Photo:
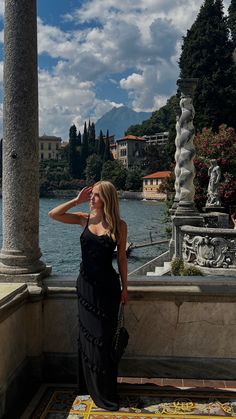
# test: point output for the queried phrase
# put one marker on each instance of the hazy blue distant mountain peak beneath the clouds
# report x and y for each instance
(118, 120)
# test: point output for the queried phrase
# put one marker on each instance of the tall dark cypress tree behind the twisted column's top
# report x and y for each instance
(207, 55)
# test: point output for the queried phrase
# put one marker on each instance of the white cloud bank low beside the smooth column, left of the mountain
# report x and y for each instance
(65, 100)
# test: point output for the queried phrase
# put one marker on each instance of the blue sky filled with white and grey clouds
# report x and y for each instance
(97, 54)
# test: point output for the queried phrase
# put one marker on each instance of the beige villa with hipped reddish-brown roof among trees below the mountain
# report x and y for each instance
(131, 150)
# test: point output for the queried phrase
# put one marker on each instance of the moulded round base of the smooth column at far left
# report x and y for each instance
(29, 278)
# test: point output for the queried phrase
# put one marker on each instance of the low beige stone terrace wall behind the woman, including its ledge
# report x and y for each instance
(179, 327)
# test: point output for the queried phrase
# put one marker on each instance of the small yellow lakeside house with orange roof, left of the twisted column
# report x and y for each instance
(151, 185)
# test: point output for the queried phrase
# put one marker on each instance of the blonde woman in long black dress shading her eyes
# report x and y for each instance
(98, 287)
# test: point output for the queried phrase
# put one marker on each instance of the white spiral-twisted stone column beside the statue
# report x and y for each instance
(185, 212)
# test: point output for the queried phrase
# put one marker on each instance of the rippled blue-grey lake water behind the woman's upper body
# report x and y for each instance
(60, 244)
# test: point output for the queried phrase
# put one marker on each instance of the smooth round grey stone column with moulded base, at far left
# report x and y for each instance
(20, 253)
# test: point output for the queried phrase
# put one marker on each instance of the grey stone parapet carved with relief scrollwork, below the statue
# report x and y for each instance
(209, 247)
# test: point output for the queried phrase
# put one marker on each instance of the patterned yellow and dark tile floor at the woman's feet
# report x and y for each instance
(141, 398)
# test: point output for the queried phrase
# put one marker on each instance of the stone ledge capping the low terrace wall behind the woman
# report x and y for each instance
(170, 288)
